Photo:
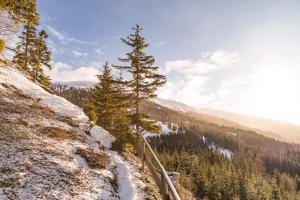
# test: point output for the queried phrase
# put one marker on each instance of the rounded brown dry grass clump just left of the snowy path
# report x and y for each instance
(95, 160)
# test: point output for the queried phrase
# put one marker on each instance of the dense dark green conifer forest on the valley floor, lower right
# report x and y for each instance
(209, 174)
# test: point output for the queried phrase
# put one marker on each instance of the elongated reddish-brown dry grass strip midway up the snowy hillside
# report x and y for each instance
(61, 134)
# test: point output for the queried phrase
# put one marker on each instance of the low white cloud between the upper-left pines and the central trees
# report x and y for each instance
(63, 72)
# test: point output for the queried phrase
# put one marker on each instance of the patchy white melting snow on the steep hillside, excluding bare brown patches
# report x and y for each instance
(54, 159)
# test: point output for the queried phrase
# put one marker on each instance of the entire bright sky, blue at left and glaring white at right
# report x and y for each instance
(239, 56)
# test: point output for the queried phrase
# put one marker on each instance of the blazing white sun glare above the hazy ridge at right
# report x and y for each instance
(272, 94)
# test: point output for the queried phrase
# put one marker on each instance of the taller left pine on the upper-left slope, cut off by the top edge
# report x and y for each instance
(25, 48)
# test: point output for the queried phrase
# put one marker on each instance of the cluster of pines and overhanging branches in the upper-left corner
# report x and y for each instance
(32, 54)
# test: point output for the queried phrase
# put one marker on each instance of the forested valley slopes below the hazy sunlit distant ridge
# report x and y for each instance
(257, 167)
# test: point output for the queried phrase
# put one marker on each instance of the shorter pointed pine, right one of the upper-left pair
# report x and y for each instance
(42, 58)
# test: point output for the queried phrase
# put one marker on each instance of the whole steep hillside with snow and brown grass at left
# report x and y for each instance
(49, 150)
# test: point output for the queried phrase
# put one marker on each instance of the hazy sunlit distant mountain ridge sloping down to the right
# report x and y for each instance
(270, 128)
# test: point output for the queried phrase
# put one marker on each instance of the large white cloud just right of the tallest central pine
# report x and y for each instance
(189, 81)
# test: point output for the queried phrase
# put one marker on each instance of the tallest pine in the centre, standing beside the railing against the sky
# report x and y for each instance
(145, 79)
